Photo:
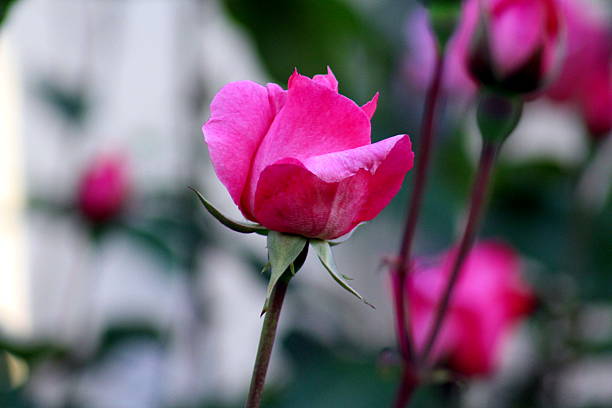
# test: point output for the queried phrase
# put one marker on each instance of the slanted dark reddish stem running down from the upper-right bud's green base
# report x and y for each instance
(479, 190)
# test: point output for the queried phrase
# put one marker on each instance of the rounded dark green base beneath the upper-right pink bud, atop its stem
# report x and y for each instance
(497, 116)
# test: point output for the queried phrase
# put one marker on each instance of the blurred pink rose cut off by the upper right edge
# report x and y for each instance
(585, 78)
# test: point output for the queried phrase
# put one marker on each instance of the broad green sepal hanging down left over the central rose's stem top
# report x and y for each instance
(286, 254)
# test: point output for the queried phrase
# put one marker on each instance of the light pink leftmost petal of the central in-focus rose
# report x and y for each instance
(240, 116)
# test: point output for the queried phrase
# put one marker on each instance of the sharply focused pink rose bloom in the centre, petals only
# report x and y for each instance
(301, 161)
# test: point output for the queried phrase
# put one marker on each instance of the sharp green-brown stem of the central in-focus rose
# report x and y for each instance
(266, 342)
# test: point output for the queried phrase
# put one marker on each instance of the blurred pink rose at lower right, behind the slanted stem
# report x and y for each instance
(489, 299)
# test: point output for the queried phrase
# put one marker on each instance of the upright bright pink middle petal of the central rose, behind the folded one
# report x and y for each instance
(314, 120)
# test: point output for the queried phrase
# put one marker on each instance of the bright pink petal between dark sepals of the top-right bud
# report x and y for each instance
(517, 31)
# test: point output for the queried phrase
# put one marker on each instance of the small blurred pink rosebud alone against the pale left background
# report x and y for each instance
(103, 188)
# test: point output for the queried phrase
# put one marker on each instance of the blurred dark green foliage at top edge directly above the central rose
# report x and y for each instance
(311, 34)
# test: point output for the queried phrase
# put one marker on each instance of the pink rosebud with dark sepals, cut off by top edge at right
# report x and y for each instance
(515, 43)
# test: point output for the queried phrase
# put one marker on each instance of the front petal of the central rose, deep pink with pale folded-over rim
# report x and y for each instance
(327, 196)
